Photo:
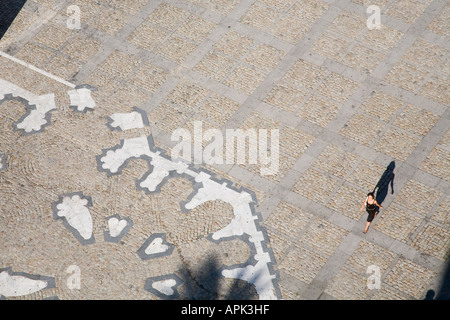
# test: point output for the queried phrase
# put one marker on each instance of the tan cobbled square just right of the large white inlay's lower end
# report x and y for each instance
(302, 263)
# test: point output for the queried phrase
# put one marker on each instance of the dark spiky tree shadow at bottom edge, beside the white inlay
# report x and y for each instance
(204, 283)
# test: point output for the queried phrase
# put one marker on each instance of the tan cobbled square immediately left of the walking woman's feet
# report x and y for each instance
(323, 236)
